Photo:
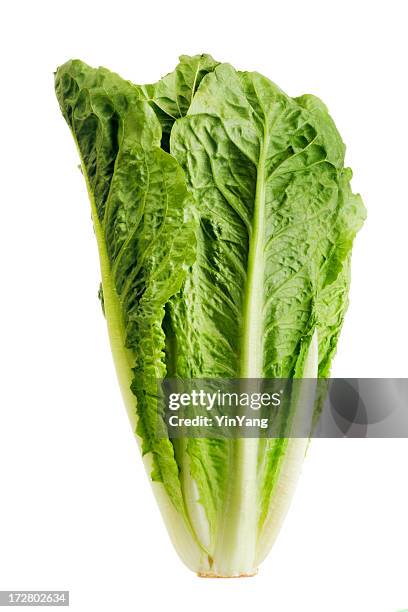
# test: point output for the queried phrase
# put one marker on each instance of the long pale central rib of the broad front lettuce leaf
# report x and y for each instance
(237, 537)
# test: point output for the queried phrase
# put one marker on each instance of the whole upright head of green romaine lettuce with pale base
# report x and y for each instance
(224, 220)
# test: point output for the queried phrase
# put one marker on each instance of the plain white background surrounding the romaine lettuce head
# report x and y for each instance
(76, 511)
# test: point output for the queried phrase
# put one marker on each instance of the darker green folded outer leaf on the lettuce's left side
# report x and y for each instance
(138, 197)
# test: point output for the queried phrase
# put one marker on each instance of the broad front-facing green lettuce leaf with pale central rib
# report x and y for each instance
(275, 221)
